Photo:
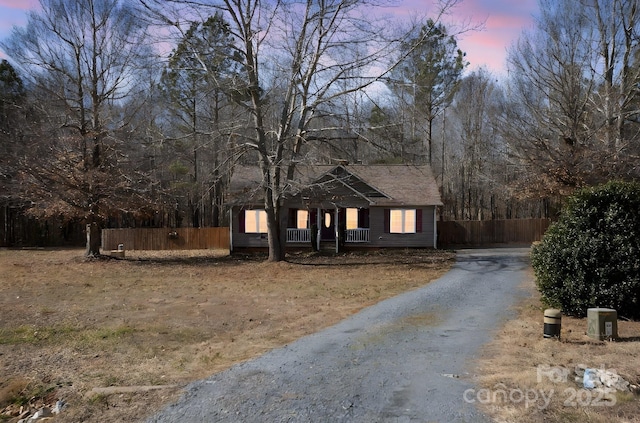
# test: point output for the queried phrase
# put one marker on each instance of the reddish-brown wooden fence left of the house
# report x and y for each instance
(166, 238)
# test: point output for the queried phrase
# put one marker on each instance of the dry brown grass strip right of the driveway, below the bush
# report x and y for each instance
(510, 364)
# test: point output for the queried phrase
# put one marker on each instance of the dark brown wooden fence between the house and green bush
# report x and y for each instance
(490, 232)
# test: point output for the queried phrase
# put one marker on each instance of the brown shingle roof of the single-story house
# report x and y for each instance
(395, 185)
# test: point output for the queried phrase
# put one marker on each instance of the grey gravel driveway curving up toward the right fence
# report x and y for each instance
(406, 359)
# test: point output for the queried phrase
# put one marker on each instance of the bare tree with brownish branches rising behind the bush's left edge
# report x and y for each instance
(547, 119)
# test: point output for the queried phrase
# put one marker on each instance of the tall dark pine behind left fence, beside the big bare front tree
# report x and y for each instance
(199, 73)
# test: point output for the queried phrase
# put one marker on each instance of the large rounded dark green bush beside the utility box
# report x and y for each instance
(591, 256)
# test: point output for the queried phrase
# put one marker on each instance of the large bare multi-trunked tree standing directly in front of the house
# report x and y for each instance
(314, 49)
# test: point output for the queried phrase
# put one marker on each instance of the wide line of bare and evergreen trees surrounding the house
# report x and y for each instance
(135, 113)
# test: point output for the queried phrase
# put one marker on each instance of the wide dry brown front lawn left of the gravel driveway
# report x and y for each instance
(69, 326)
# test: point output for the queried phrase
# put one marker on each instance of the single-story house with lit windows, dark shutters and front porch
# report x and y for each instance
(340, 206)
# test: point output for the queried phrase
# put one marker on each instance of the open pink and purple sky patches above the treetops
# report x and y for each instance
(503, 21)
